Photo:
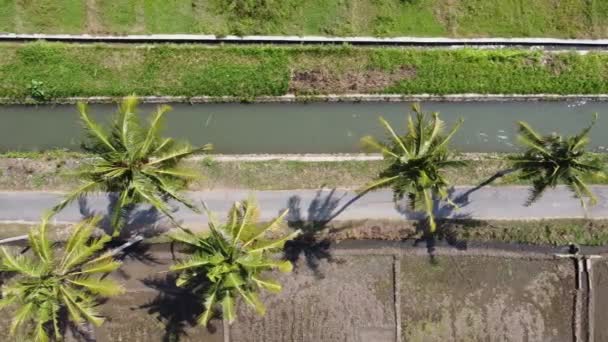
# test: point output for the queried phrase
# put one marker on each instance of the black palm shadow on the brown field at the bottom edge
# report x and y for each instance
(176, 308)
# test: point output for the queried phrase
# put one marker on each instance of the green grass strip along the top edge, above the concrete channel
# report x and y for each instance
(509, 18)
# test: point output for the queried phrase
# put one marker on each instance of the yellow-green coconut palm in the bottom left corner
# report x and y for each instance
(51, 288)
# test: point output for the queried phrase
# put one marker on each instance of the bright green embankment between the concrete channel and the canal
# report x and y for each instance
(246, 72)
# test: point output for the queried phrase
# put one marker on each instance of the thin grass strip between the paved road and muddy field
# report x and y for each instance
(553, 232)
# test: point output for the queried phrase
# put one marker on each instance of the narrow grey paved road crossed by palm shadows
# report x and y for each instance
(486, 203)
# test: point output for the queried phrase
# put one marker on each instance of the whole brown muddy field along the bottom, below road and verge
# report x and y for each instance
(382, 294)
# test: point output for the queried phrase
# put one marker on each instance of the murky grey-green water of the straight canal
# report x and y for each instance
(308, 127)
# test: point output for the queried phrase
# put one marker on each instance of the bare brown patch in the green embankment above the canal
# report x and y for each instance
(324, 81)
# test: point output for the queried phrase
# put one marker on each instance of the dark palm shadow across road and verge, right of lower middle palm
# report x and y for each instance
(310, 244)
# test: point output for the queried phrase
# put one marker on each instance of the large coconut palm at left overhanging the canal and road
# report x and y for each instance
(134, 162)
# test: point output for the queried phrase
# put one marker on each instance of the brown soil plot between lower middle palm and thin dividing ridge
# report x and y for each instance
(350, 299)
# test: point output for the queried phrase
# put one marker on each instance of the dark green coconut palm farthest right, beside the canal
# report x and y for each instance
(552, 159)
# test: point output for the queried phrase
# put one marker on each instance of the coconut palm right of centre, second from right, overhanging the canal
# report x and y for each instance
(416, 162)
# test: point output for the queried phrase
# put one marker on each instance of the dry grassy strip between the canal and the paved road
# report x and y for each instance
(54, 171)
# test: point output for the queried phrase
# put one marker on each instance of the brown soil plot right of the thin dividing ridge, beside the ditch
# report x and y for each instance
(487, 299)
